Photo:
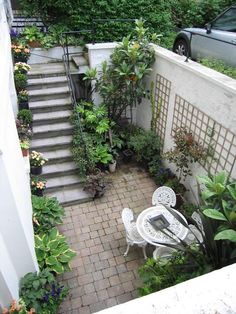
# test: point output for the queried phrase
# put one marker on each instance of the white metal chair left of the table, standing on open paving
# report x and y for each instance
(132, 235)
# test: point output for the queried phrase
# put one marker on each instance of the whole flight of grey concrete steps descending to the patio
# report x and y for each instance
(50, 104)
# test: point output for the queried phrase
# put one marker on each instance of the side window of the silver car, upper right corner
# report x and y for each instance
(227, 21)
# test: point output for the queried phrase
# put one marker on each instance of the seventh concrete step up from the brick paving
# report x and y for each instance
(51, 117)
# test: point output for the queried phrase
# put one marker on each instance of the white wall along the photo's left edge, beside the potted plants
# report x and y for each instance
(16, 230)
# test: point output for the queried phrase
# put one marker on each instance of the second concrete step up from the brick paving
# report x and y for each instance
(66, 181)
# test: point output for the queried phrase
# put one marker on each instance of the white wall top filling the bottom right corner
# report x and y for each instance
(213, 293)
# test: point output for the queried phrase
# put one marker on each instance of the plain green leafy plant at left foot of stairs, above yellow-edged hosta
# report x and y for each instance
(47, 212)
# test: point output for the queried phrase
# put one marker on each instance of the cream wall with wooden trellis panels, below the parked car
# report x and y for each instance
(198, 98)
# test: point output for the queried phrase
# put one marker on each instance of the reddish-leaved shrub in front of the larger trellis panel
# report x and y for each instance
(185, 152)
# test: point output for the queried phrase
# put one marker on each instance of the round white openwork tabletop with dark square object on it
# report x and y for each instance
(154, 236)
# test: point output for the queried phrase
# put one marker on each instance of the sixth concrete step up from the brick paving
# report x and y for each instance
(52, 129)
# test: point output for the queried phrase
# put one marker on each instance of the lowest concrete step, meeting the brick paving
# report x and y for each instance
(71, 196)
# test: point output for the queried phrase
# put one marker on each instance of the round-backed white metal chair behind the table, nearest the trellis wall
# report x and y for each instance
(164, 195)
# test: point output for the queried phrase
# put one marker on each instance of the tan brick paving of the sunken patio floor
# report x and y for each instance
(101, 276)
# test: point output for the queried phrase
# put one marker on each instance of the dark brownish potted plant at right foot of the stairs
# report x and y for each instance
(95, 183)
